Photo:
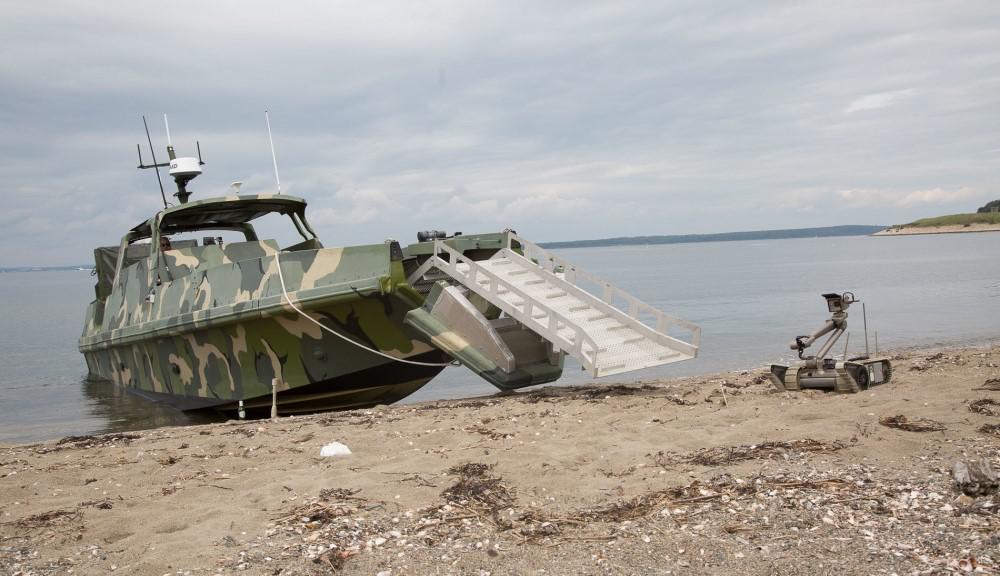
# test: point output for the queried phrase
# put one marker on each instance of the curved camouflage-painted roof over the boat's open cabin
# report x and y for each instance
(220, 212)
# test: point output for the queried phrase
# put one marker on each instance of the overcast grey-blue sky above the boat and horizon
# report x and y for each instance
(561, 120)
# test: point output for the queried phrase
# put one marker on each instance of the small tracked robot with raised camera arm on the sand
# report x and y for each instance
(819, 371)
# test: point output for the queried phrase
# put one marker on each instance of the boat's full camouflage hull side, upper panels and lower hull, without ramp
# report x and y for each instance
(220, 330)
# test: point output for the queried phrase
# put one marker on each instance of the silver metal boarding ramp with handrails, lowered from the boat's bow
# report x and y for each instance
(608, 335)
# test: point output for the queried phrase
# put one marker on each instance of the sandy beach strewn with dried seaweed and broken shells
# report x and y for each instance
(689, 476)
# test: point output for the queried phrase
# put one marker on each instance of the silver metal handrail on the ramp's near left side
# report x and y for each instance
(523, 313)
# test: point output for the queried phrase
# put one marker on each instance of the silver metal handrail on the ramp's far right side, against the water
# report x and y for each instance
(552, 263)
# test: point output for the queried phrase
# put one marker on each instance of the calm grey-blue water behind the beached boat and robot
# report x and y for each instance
(750, 299)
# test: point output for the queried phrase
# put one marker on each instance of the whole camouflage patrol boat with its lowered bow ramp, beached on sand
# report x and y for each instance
(221, 324)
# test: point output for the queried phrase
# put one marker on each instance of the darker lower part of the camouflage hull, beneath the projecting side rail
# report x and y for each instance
(214, 368)
